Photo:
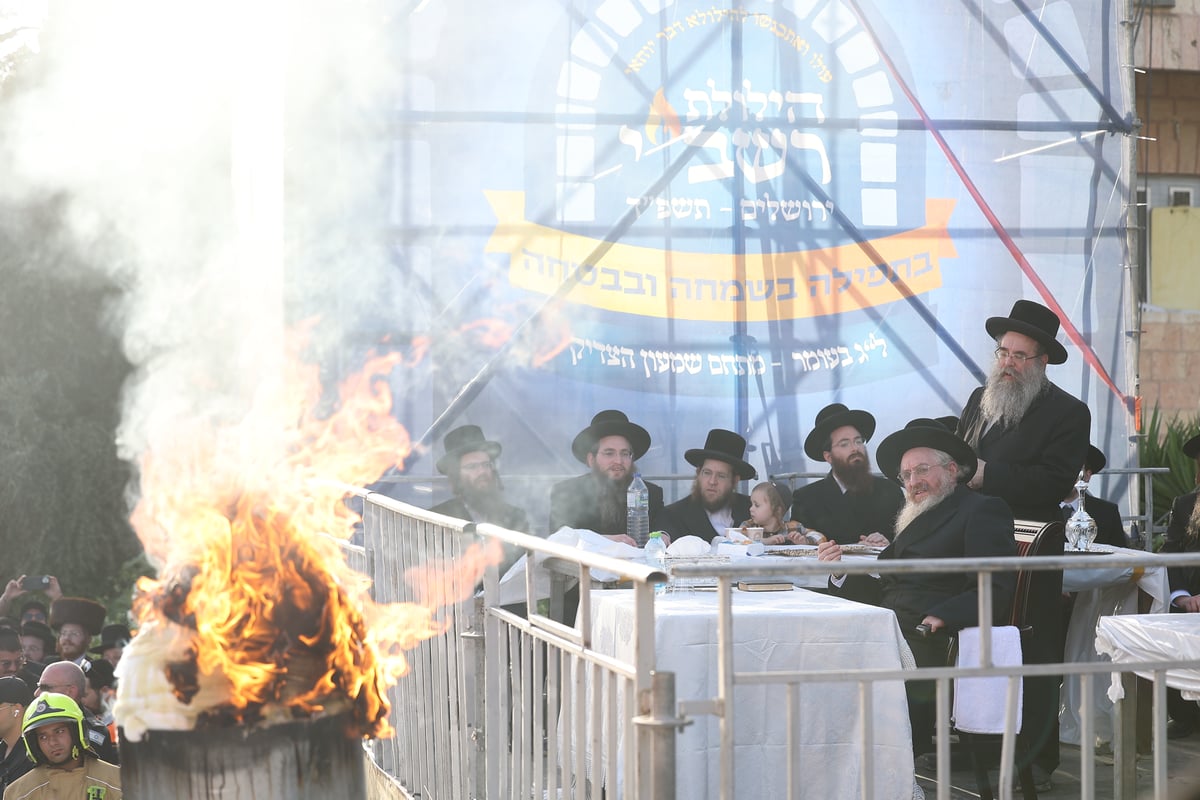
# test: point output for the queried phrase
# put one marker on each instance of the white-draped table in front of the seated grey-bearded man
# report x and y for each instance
(776, 631)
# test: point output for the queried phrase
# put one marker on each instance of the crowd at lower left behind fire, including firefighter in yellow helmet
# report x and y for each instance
(57, 693)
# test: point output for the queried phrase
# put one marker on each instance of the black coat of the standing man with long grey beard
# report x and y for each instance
(1035, 465)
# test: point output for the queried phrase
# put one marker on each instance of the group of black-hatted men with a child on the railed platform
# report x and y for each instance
(952, 488)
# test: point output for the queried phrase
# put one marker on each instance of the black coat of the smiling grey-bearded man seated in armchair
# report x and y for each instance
(963, 526)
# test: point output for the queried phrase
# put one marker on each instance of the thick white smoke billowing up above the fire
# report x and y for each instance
(169, 128)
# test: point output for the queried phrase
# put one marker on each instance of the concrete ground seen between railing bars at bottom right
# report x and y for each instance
(1183, 777)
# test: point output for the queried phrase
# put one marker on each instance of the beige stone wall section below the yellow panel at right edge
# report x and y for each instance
(1171, 362)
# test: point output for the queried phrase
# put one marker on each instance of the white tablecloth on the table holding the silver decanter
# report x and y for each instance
(1102, 592)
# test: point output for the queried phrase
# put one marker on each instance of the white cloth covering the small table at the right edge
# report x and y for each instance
(1155, 637)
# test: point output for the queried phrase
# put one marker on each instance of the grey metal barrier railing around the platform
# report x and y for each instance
(508, 705)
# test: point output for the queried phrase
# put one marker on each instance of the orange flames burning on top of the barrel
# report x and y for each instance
(275, 617)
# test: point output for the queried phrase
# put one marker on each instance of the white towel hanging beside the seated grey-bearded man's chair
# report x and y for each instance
(980, 702)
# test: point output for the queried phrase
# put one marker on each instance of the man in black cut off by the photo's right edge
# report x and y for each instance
(1184, 537)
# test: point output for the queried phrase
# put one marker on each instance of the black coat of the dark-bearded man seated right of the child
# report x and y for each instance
(842, 518)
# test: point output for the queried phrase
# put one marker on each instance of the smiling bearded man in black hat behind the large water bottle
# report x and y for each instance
(596, 501)
